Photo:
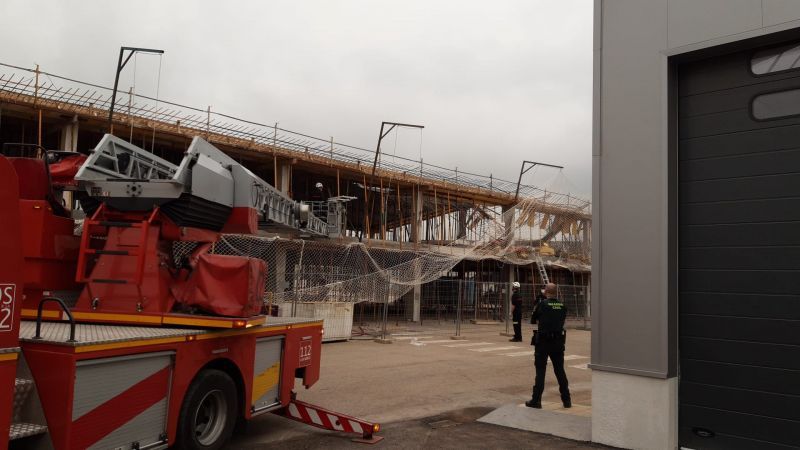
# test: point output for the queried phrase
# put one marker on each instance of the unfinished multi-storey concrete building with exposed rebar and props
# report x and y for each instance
(409, 225)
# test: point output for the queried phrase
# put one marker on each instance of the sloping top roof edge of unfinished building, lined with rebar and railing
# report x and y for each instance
(43, 89)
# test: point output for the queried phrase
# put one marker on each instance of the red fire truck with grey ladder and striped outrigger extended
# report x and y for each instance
(108, 338)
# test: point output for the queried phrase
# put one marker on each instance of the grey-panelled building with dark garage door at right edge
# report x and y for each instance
(696, 200)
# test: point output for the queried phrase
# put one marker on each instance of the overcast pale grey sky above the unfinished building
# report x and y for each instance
(493, 82)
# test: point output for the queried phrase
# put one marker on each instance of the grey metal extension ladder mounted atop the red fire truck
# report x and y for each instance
(199, 192)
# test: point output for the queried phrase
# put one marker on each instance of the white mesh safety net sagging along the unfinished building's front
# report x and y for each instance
(535, 231)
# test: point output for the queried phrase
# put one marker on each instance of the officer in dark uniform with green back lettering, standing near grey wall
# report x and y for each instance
(549, 342)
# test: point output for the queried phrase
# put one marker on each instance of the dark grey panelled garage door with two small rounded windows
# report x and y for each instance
(739, 250)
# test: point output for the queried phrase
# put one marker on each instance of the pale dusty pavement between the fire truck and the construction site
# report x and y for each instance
(425, 374)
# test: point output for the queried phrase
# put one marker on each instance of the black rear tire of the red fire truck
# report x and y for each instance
(208, 414)
